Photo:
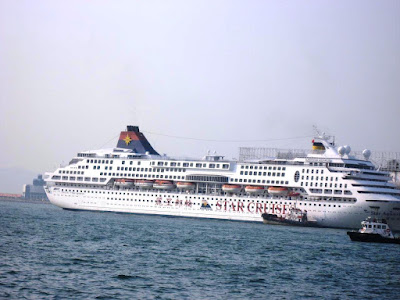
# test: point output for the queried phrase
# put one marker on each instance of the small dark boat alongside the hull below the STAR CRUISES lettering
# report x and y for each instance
(295, 217)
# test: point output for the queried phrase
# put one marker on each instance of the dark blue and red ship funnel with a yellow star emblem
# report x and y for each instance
(135, 140)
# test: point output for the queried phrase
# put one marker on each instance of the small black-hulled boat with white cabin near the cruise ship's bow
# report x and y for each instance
(374, 231)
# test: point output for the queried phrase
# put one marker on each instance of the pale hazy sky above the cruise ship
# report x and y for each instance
(73, 74)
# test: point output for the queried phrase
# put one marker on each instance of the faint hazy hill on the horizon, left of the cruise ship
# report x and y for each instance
(13, 179)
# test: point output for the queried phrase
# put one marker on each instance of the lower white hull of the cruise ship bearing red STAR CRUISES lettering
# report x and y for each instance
(219, 207)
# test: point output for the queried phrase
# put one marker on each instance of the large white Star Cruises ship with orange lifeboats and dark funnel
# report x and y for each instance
(333, 187)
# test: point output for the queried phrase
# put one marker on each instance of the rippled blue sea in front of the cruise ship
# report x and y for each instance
(50, 253)
